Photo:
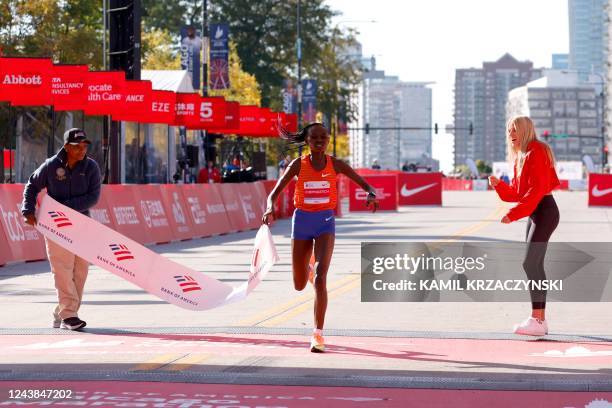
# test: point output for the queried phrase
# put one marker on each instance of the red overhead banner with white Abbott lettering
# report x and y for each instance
(26, 81)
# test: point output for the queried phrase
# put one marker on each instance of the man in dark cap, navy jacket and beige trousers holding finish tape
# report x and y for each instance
(73, 179)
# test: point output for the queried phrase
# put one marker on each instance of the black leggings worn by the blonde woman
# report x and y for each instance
(540, 226)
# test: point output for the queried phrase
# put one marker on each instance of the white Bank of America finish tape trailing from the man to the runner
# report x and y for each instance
(139, 265)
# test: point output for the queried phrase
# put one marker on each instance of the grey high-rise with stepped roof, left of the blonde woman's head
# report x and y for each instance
(480, 98)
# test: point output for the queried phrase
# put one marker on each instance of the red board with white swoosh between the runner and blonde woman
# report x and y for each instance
(420, 188)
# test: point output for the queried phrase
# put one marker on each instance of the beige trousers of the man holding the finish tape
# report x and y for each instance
(70, 273)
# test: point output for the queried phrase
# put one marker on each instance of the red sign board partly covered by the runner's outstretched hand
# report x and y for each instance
(386, 193)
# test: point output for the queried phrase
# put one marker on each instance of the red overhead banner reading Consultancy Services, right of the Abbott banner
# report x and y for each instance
(69, 87)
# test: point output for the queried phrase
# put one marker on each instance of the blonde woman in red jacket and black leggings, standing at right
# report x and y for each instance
(534, 179)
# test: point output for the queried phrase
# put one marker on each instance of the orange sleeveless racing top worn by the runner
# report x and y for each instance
(316, 190)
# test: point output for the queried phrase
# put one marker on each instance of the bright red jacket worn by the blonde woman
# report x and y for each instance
(537, 179)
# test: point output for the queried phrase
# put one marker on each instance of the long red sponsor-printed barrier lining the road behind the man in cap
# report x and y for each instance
(150, 213)
